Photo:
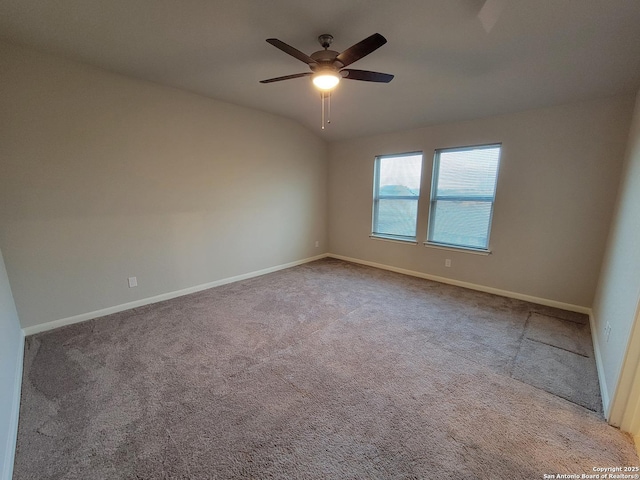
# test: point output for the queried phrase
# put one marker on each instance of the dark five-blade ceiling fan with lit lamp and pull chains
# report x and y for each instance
(328, 66)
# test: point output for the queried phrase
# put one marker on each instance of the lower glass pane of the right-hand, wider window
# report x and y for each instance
(460, 223)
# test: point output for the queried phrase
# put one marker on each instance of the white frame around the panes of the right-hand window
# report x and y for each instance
(434, 198)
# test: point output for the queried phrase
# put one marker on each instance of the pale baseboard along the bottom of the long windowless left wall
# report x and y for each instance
(43, 327)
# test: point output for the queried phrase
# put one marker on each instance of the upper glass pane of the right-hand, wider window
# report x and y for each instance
(468, 172)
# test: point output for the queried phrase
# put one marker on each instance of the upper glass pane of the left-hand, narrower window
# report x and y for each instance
(400, 176)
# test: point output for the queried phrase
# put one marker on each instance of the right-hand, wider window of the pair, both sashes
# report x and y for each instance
(462, 196)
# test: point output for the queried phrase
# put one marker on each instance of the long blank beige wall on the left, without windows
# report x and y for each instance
(106, 177)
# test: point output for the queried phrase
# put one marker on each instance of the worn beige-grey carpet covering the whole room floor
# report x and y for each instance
(326, 370)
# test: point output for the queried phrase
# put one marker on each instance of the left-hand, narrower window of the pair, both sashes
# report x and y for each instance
(396, 190)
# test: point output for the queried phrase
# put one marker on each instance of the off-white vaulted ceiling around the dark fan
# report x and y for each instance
(447, 66)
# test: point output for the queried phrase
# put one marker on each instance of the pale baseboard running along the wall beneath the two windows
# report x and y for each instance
(473, 286)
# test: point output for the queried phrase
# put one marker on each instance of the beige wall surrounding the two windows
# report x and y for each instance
(557, 184)
